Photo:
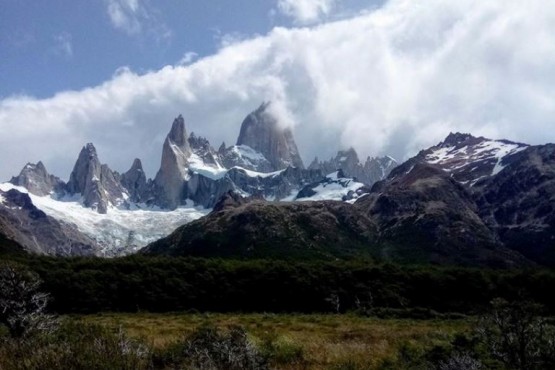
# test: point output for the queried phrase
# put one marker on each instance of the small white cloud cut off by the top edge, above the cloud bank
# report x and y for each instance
(306, 11)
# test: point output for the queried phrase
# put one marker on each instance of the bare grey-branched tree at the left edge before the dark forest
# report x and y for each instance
(22, 305)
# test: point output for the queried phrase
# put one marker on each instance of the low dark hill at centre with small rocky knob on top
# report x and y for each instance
(254, 228)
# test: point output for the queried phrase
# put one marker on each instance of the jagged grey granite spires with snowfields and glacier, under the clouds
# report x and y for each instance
(99, 211)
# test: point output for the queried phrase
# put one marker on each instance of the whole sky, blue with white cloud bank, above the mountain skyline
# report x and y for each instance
(387, 77)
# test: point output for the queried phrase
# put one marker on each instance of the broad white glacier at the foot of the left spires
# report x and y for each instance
(119, 231)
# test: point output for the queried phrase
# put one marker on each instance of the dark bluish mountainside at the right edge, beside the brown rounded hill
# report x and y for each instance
(519, 203)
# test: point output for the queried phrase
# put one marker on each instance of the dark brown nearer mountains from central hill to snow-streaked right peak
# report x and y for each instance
(465, 201)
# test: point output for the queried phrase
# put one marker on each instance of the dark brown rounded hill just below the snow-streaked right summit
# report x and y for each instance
(425, 215)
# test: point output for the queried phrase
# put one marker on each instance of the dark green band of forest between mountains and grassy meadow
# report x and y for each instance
(156, 284)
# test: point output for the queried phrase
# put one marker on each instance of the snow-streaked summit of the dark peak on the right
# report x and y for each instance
(470, 158)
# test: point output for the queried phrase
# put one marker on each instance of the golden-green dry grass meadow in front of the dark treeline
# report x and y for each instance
(327, 341)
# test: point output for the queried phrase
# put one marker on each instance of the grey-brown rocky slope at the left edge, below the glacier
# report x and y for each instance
(24, 224)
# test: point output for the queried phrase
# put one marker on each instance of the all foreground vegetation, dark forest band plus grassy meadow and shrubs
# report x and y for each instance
(315, 315)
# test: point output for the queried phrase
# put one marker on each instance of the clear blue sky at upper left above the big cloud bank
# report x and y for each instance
(55, 45)
